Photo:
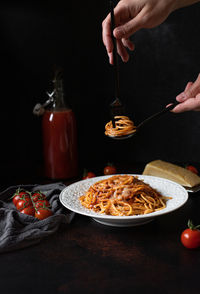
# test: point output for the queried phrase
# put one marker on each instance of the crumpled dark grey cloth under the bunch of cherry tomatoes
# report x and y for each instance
(18, 230)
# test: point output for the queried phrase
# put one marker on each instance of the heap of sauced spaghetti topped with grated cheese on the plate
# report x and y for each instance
(123, 195)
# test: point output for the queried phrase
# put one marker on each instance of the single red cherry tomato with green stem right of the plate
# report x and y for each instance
(190, 237)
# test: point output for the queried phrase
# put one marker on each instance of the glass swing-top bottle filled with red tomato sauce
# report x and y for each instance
(59, 134)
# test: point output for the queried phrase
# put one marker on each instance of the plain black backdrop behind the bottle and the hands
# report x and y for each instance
(37, 36)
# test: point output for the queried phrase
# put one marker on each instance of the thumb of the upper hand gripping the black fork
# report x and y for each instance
(128, 29)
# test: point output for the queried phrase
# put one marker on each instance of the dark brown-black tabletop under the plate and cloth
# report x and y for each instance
(88, 257)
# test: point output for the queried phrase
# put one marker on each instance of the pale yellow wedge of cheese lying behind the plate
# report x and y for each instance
(172, 172)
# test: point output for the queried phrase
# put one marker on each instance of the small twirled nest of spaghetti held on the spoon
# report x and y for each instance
(123, 126)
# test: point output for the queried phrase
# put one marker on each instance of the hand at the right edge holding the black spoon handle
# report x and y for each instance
(190, 98)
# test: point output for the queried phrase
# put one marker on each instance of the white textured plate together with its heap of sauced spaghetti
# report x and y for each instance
(124, 200)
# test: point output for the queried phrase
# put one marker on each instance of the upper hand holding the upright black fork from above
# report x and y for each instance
(130, 16)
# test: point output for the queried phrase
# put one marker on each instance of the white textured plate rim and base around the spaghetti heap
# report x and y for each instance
(69, 197)
